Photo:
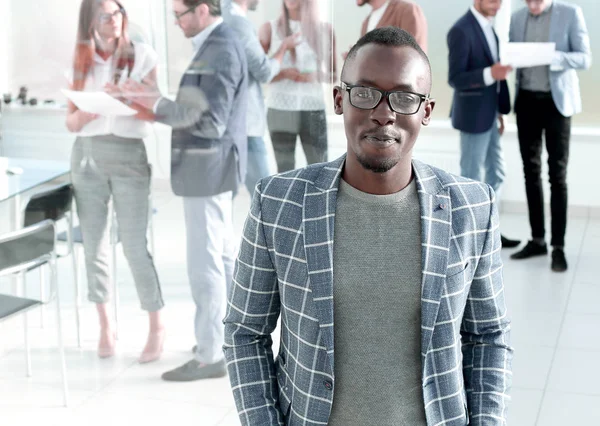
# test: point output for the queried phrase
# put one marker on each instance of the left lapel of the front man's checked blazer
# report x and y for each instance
(318, 222)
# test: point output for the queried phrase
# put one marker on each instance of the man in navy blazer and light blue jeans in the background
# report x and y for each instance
(480, 95)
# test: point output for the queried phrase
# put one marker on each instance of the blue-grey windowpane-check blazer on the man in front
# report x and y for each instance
(285, 268)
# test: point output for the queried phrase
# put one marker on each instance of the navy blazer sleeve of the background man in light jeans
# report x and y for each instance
(459, 76)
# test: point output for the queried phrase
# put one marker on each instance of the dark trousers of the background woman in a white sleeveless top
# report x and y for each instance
(284, 129)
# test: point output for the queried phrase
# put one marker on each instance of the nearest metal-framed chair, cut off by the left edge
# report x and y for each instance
(22, 251)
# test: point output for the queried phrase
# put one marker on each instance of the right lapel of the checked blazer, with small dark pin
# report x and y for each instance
(436, 215)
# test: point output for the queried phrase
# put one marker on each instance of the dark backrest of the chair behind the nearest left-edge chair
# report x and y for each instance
(51, 204)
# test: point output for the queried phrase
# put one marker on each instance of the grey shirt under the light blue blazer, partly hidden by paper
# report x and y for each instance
(537, 79)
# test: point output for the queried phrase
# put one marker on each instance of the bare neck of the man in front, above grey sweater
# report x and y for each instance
(390, 182)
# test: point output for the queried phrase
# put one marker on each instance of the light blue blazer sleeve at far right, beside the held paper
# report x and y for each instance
(579, 55)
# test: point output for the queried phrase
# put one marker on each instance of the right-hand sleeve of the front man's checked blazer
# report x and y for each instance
(485, 331)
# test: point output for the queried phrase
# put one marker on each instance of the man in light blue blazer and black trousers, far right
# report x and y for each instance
(547, 97)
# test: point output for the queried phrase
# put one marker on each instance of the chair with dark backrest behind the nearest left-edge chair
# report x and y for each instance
(56, 204)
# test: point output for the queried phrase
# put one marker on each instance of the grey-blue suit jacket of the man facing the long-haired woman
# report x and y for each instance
(209, 144)
